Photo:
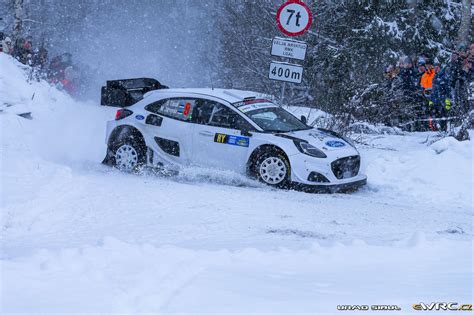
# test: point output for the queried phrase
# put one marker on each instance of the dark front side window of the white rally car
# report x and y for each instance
(212, 113)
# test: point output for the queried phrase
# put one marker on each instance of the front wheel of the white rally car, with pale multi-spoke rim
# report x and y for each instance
(272, 168)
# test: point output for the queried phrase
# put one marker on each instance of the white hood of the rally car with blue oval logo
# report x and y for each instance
(321, 139)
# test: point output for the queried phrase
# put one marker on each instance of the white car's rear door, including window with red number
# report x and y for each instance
(168, 123)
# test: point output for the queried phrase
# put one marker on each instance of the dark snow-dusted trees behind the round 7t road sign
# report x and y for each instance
(350, 44)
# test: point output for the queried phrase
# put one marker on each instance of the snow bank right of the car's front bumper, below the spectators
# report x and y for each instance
(440, 173)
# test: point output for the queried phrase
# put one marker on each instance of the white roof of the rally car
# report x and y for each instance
(229, 95)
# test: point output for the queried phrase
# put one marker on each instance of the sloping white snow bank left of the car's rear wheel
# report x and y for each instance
(62, 130)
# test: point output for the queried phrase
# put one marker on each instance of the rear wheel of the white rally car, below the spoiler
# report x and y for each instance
(129, 155)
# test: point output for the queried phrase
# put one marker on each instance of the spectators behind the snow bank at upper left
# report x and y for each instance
(59, 71)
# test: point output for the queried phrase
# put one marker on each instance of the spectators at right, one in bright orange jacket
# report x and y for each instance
(434, 88)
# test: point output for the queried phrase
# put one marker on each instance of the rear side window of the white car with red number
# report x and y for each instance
(177, 108)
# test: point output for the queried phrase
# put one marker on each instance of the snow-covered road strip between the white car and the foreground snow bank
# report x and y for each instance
(88, 204)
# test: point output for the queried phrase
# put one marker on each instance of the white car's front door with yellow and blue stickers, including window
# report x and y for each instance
(217, 139)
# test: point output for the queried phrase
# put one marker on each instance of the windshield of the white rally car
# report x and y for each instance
(272, 118)
